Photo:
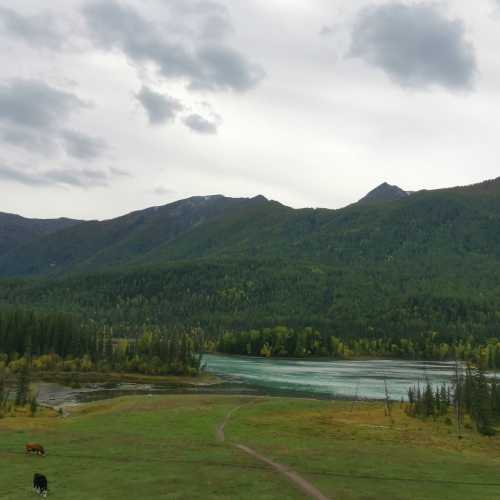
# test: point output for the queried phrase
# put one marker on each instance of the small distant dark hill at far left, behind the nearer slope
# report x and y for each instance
(16, 230)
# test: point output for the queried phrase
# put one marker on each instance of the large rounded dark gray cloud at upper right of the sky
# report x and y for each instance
(416, 45)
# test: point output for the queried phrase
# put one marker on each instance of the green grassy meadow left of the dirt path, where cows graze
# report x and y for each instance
(144, 448)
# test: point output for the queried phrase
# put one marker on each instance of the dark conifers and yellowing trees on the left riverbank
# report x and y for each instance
(56, 341)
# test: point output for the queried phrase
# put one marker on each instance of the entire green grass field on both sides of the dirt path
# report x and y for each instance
(165, 447)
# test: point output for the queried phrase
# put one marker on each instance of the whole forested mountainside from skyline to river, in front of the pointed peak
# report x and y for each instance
(380, 275)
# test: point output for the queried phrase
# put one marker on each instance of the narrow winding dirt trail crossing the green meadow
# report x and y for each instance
(304, 485)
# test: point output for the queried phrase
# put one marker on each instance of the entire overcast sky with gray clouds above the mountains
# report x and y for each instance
(110, 106)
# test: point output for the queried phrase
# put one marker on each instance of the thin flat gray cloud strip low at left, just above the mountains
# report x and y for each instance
(69, 176)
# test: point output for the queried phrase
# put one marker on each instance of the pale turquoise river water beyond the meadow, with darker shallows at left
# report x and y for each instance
(284, 377)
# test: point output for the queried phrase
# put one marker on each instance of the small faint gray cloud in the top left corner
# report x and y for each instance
(38, 30)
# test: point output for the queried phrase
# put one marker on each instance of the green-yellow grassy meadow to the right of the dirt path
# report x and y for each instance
(359, 455)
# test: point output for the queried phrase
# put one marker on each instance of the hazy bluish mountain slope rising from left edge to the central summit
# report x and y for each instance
(97, 245)
